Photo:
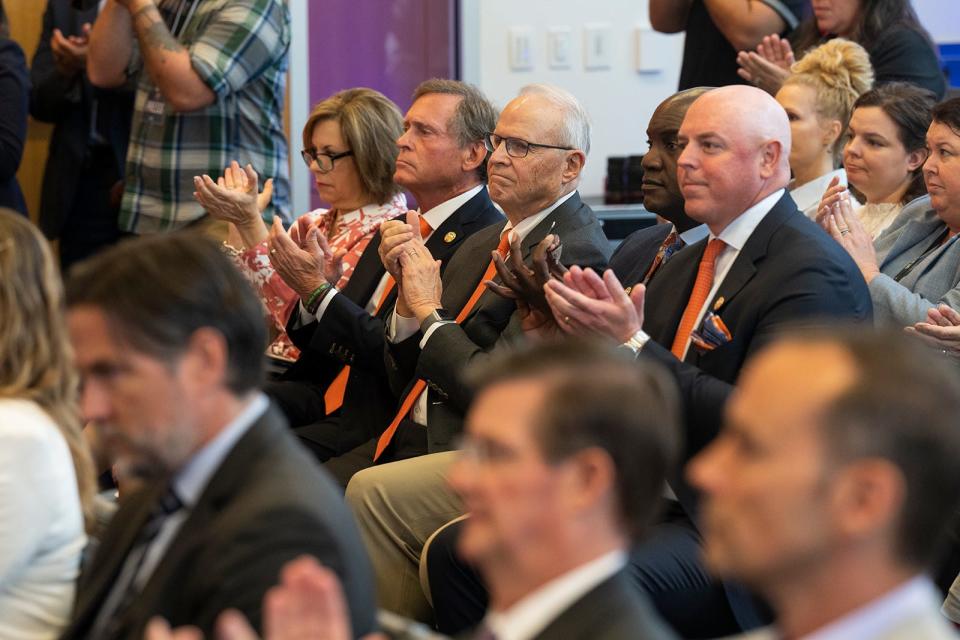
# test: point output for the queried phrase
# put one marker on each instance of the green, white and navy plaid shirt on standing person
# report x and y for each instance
(239, 48)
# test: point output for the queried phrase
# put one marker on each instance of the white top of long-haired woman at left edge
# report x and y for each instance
(41, 524)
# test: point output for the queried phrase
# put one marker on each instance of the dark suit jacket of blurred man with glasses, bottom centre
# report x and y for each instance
(613, 610)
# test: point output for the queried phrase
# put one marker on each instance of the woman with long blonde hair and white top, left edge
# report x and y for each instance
(47, 483)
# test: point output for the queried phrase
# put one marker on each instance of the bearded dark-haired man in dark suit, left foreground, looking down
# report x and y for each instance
(169, 341)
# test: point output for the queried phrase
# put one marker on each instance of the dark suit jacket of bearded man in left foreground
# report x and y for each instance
(267, 504)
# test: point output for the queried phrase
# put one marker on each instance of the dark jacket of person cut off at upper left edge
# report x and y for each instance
(14, 91)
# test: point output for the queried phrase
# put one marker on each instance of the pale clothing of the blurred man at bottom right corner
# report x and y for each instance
(908, 611)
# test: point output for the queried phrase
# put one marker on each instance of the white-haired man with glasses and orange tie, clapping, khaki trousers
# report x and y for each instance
(440, 324)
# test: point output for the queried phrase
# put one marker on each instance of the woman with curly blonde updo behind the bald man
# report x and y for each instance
(818, 98)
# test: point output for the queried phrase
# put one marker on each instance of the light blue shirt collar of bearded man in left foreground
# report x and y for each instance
(193, 478)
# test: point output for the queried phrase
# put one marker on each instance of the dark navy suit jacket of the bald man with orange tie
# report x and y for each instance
(788, 273)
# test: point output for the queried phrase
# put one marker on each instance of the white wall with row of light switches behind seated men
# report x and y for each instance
(620, 100)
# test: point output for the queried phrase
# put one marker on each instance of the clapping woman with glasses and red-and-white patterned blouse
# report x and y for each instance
(350, 146)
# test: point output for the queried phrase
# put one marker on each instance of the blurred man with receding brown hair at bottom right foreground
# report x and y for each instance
(833, 483)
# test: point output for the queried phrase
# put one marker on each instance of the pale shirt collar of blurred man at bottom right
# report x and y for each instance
(913, 597)
